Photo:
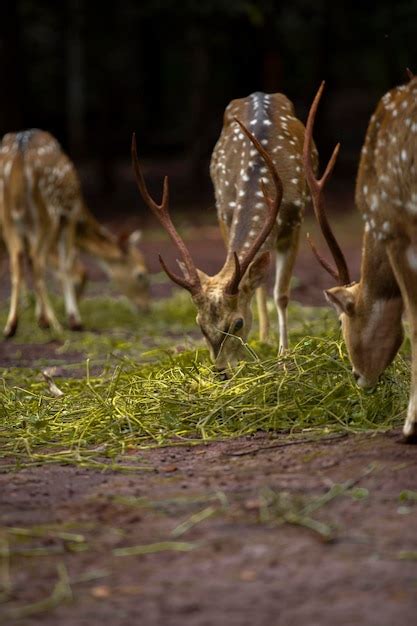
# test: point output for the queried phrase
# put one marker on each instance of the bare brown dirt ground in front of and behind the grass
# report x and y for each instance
(259, 544)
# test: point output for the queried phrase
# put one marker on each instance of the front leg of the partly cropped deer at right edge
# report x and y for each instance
(403, 260)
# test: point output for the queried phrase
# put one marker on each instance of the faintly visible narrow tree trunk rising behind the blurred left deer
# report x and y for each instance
(75, 79)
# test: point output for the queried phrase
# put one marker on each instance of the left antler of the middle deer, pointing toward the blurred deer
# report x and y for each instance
(161, 212)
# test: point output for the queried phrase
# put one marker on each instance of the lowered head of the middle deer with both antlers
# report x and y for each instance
(223, 300)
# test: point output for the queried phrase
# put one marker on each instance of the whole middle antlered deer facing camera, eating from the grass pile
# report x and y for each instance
(248, 221)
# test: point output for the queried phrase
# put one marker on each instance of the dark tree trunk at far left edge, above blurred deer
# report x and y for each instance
(12, 75)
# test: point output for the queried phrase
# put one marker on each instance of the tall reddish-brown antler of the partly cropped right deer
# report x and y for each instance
(341, 272)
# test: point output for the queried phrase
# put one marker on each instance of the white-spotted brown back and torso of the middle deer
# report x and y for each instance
(237, 168)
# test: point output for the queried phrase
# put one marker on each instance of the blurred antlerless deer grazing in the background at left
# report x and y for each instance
(44, 221)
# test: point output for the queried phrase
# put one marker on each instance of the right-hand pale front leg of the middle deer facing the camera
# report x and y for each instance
(285, 259)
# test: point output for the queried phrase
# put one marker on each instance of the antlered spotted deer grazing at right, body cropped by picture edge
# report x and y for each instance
(386, 194)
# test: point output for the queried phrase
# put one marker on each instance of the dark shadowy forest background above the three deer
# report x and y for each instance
(92, 72)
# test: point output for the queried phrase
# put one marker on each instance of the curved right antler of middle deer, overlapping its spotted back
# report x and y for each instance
(273, 208)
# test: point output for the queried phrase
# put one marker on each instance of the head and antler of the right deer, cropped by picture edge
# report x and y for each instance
(369, 311)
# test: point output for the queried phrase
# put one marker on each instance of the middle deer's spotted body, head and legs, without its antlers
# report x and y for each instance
(236, 171)
